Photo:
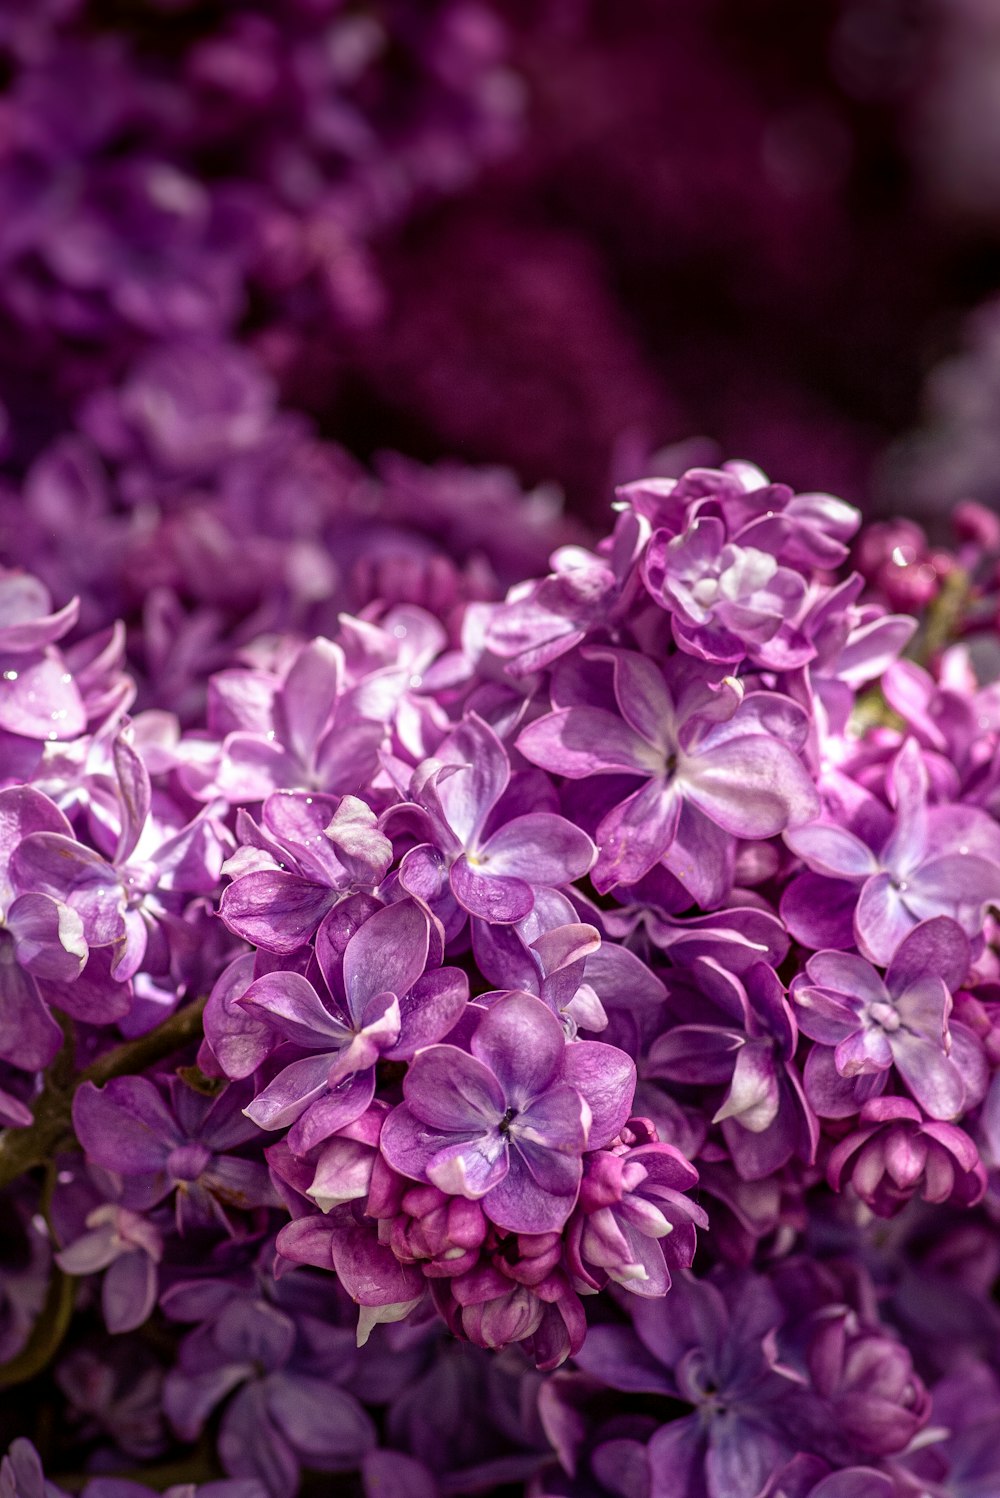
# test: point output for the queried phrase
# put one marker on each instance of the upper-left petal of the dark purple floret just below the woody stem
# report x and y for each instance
(126, 1126)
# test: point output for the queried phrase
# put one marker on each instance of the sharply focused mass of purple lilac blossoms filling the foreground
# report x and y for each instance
(579, 1007)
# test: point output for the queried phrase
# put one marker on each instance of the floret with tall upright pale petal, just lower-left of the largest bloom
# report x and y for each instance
(474, 858)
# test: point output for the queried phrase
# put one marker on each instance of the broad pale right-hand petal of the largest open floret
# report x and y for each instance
(752, 787)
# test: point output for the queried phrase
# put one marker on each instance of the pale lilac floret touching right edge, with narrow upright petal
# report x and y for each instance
(932, 861)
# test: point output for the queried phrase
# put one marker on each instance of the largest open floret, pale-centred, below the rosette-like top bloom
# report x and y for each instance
(716, 765)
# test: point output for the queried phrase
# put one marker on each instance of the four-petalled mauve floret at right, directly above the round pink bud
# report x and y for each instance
(896, 1022)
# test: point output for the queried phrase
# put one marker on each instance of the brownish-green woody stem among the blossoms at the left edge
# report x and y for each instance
(26, 1148)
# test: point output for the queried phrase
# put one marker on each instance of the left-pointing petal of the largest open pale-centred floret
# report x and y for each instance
(588, 741)
